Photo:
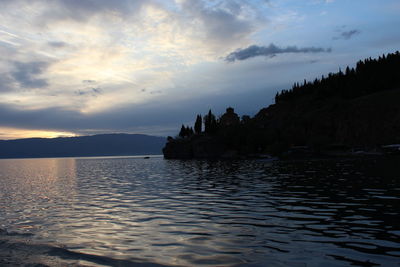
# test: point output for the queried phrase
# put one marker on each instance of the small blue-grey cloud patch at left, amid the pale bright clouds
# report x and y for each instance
(25, 74)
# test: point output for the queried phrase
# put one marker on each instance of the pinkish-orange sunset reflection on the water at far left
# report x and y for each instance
(31, 190)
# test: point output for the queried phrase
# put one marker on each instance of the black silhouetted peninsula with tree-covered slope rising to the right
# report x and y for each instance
(353, 110)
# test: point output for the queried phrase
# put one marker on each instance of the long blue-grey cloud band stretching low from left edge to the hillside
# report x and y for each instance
(164, 114)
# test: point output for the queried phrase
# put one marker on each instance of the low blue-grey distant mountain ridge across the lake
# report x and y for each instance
(96, 145)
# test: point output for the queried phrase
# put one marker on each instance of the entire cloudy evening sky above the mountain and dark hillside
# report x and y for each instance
(83, 67)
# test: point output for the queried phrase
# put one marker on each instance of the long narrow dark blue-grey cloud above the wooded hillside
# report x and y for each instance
(270, 51)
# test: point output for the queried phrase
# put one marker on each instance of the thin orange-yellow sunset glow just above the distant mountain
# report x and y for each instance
(15, 133)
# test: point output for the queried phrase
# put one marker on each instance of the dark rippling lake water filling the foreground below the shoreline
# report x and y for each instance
(190, 213)
